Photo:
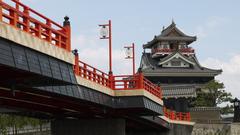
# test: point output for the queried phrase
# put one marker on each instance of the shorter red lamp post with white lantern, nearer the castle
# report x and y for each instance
(130, 54)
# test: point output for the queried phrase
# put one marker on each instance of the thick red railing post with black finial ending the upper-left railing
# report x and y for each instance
(67, 27)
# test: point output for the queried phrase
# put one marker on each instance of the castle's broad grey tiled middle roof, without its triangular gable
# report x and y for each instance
(150, 68)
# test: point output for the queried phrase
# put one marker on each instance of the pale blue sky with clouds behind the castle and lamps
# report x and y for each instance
(216, 23)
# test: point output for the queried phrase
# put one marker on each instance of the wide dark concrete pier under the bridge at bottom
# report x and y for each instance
(88, 127)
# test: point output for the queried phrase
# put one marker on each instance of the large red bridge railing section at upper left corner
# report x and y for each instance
(26, 19)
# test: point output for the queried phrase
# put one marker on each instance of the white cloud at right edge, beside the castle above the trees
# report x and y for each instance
(231, 72)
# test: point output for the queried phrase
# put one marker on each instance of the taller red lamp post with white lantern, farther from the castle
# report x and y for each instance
(106, 33)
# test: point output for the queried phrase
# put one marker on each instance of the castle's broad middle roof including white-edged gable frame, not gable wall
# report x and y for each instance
(151, 67)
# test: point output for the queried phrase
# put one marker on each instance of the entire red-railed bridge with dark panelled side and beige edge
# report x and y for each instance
(41, 77)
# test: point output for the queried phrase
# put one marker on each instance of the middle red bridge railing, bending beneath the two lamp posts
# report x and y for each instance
(120, 82)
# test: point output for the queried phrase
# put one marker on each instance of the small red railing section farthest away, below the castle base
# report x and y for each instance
(181, 116)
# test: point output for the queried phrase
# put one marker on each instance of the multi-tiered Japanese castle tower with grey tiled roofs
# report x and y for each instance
(171, 63)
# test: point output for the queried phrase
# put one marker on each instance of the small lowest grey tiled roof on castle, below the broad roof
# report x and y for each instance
(177, 91)
